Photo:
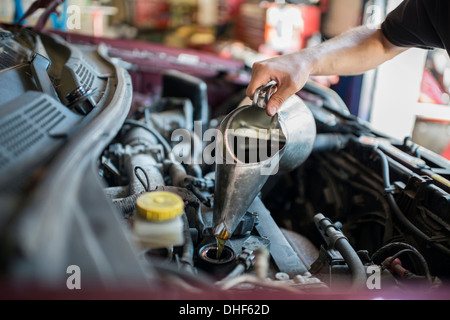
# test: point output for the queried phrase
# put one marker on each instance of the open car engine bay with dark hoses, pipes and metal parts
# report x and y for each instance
(89, 128)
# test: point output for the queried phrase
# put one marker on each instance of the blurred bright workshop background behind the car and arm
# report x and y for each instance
(415, 83)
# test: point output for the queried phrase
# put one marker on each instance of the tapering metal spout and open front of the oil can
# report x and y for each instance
(250, 155)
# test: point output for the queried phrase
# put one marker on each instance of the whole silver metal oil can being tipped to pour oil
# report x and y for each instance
(253, 146)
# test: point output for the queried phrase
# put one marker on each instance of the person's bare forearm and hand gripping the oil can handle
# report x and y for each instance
(353, 52)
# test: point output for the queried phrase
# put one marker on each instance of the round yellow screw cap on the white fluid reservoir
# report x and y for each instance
(159, 205)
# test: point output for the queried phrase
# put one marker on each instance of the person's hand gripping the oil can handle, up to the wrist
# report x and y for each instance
(290, 71)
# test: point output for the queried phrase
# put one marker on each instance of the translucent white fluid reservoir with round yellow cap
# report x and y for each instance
(158, 222)
